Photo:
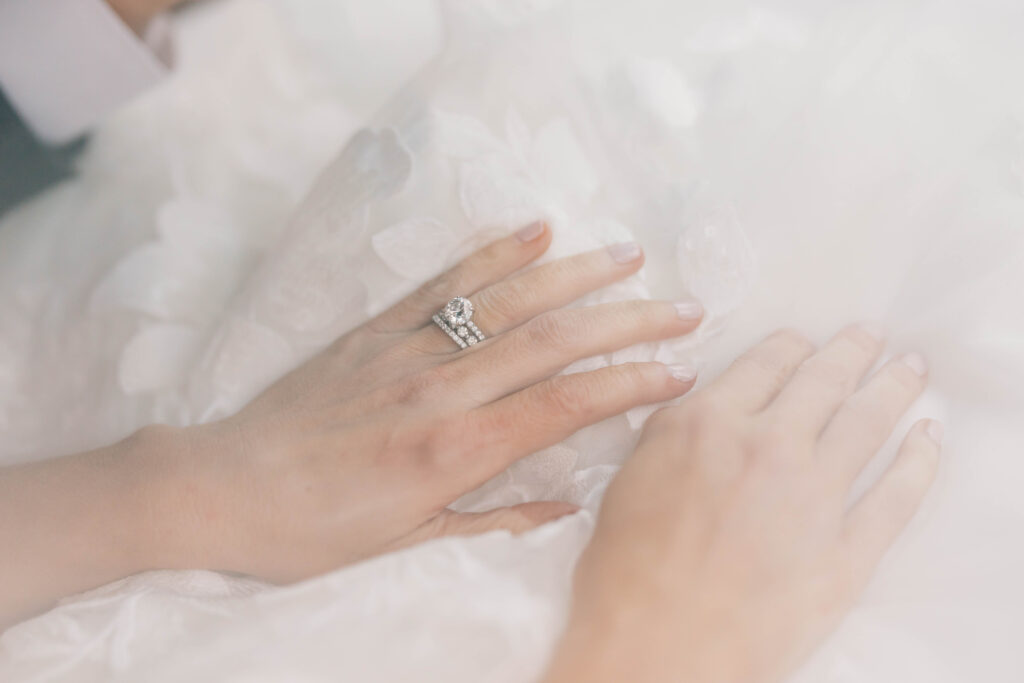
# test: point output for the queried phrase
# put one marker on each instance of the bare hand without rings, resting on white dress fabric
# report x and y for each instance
(726, 549)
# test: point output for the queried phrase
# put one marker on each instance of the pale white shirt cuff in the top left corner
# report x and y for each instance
(66, 64)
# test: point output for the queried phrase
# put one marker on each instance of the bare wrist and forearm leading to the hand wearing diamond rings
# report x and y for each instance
(80, 522)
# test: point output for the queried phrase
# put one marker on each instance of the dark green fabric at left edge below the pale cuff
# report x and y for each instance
(27, 165)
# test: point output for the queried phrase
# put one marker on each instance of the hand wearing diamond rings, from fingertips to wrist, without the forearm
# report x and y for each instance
(361, 450)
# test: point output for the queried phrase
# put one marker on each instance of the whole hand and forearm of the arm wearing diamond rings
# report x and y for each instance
(361, 450)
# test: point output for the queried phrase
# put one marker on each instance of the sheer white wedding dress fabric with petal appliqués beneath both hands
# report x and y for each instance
(789, 163)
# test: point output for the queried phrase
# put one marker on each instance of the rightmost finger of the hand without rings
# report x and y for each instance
(878, 520)
